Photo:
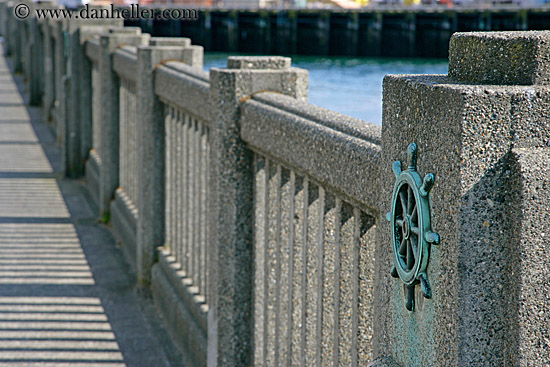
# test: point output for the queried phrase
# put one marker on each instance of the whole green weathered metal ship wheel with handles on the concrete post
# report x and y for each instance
(410, 221)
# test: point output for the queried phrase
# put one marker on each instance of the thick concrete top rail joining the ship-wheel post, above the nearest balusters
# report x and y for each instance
(338, 151)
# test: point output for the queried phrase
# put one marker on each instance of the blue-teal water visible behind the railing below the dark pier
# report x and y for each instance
(352, 86)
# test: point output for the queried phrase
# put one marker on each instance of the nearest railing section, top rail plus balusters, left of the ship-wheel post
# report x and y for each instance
(314, 231)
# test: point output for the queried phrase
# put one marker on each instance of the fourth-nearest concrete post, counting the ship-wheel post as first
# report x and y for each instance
(110, 110)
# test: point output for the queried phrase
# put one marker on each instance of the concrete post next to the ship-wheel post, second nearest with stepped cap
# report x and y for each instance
(230, 253)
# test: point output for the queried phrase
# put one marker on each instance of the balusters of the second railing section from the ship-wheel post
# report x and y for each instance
(187, 178)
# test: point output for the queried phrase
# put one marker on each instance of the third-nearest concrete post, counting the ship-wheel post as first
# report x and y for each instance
(151, 133)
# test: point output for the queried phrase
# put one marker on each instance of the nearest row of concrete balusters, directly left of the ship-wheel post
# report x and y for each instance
(313, 258)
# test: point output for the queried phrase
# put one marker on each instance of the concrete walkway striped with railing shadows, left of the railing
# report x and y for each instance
(66, 298)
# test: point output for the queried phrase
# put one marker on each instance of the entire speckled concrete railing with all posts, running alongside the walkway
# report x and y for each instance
(259, 220)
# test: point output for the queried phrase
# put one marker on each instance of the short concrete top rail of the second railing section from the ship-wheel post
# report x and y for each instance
(184, 86)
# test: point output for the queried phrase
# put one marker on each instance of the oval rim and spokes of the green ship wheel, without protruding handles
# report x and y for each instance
(407, 230)
